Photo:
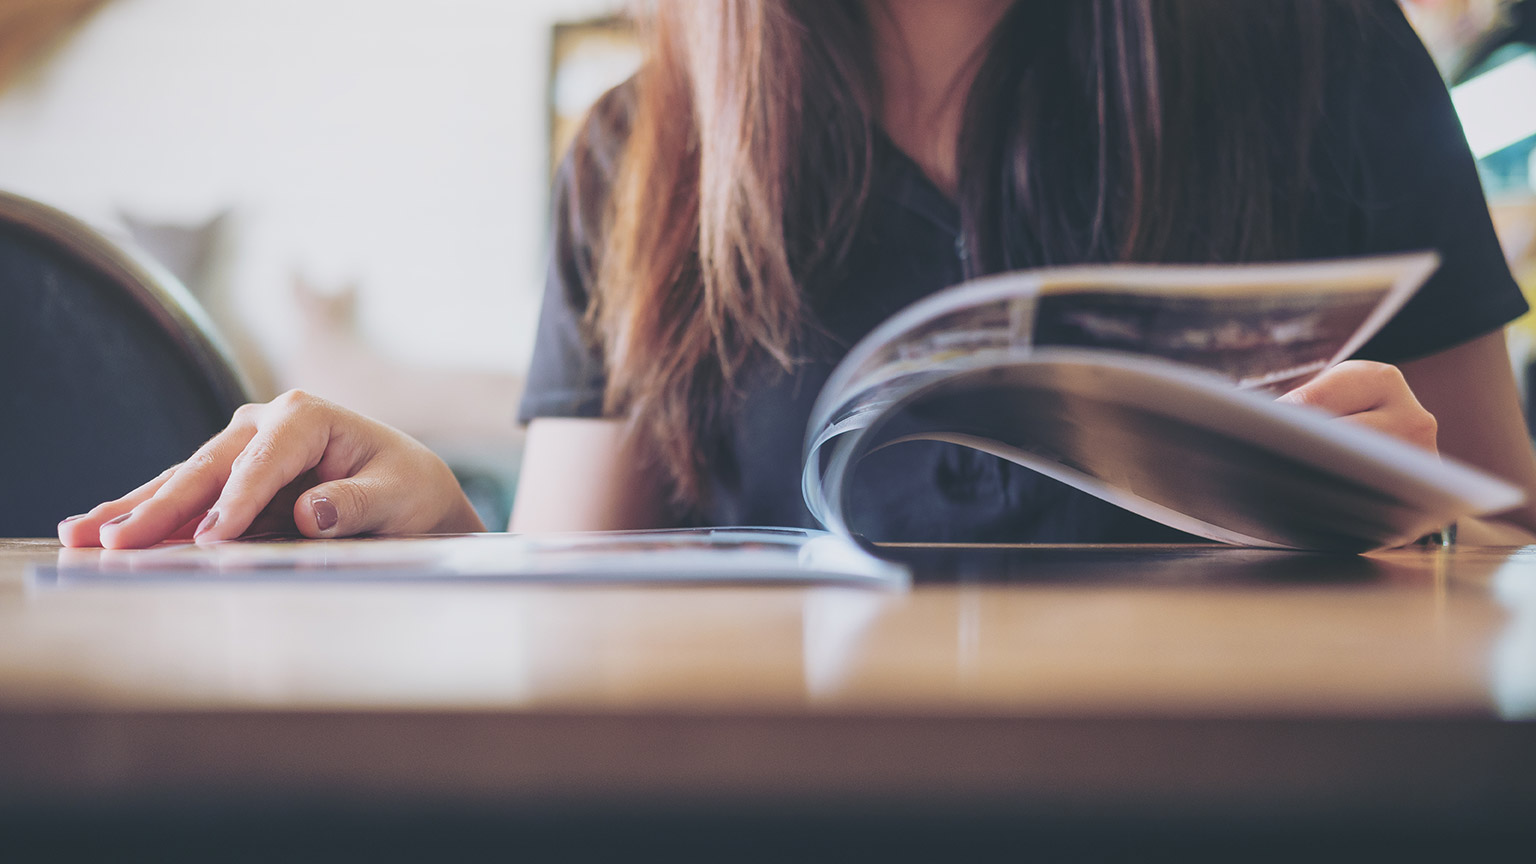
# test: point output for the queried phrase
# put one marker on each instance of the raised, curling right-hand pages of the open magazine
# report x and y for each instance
(1153, 388)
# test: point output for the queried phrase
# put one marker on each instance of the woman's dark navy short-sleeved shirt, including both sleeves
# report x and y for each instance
(1405, 182)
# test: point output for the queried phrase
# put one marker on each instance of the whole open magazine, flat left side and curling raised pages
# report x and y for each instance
(1150, 387)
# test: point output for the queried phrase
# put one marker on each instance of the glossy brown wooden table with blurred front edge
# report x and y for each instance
(1196, 702)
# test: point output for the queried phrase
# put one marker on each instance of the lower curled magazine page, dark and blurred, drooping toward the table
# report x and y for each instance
(1188, 450)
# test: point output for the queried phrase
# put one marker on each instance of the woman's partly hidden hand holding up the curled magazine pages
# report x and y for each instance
(1371, 394)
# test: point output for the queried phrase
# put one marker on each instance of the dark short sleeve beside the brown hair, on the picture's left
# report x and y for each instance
(568, 374)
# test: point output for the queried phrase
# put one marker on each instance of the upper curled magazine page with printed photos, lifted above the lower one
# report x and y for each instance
(1256, 327)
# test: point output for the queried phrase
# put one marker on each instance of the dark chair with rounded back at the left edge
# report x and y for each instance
(110, 371)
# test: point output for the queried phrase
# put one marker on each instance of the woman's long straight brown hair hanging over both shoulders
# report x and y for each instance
(750, 147)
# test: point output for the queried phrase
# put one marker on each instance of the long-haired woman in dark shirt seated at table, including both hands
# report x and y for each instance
(784, 174)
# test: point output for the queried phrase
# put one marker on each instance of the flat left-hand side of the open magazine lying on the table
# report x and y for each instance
(737, 556)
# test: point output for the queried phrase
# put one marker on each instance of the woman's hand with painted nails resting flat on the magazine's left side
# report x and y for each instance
(297, 464)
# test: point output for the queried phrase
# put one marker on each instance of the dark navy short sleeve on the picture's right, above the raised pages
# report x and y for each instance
(1418, 190)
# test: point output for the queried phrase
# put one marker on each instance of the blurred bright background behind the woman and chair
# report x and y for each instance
(357, 190)
